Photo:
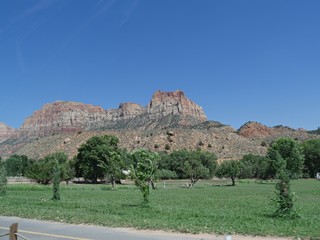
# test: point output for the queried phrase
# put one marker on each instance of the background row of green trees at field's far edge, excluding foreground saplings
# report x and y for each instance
(100, 158)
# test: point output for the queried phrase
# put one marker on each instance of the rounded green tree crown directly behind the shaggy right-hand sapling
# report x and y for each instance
(292, 154)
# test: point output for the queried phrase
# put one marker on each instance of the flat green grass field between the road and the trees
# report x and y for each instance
(243, 209)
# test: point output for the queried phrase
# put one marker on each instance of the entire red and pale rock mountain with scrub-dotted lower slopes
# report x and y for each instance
(169, 122)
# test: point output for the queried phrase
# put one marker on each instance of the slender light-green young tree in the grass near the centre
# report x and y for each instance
(143, 171)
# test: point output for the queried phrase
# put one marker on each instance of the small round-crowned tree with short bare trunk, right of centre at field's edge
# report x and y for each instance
(229, 168)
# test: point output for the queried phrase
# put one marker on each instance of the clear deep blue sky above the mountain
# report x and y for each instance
(241, 61)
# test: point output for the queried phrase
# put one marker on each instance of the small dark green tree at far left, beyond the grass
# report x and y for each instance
(16, 165)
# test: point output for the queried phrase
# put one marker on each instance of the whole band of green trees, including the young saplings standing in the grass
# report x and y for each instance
(101, 158)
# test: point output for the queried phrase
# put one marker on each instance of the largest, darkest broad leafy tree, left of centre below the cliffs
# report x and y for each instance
(93, 157)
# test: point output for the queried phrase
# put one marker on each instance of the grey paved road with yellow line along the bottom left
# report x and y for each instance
(45, 230)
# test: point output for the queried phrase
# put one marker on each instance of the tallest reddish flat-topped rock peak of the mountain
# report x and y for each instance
(174, 103)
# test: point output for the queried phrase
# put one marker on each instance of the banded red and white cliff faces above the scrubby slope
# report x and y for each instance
(165, 109)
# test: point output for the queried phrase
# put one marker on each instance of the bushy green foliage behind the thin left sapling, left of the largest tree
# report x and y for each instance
(42, 170)
